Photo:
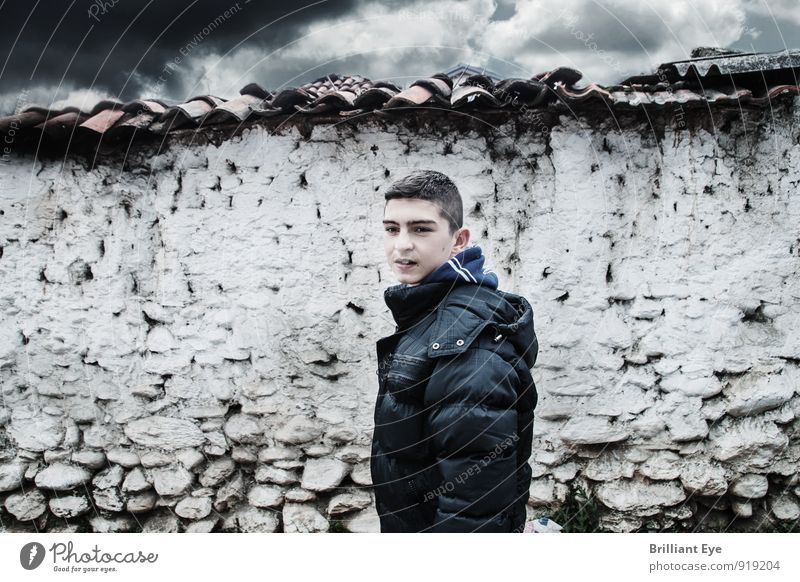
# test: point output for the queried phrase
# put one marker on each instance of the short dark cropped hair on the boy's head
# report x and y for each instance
(434, 187)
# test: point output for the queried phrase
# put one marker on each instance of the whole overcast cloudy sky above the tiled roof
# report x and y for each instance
(77, 52)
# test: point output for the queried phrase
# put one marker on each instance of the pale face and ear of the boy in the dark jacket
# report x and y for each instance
(415, 230)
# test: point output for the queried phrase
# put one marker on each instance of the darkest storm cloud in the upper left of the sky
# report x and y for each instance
(99, 43)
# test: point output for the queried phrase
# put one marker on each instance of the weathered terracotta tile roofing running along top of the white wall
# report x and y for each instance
(727, 80)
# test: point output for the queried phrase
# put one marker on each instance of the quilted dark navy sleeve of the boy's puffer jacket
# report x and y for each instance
(471, 423)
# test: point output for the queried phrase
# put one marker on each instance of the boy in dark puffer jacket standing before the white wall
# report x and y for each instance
(454, 413)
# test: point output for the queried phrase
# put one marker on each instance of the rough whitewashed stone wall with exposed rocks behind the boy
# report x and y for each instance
(187, 337)
